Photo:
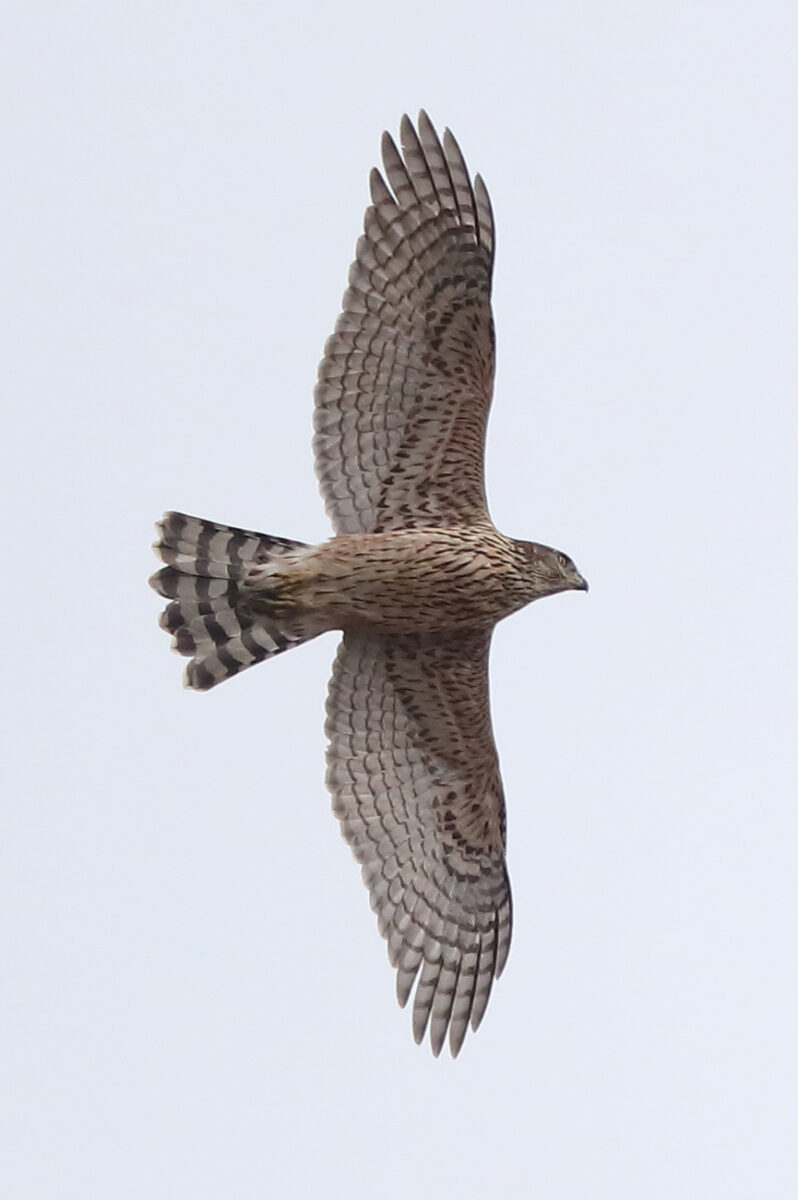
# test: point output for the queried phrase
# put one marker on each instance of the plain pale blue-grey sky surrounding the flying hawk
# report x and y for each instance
(196, 1000)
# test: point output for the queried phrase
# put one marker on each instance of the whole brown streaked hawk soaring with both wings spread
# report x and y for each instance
(416, 578)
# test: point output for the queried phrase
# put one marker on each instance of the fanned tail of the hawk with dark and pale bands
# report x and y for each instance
(215, 620)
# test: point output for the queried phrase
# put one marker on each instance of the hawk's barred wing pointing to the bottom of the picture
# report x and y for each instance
(416, 784)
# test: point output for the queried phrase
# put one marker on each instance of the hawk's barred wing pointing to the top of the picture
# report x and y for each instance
(406, 381)
